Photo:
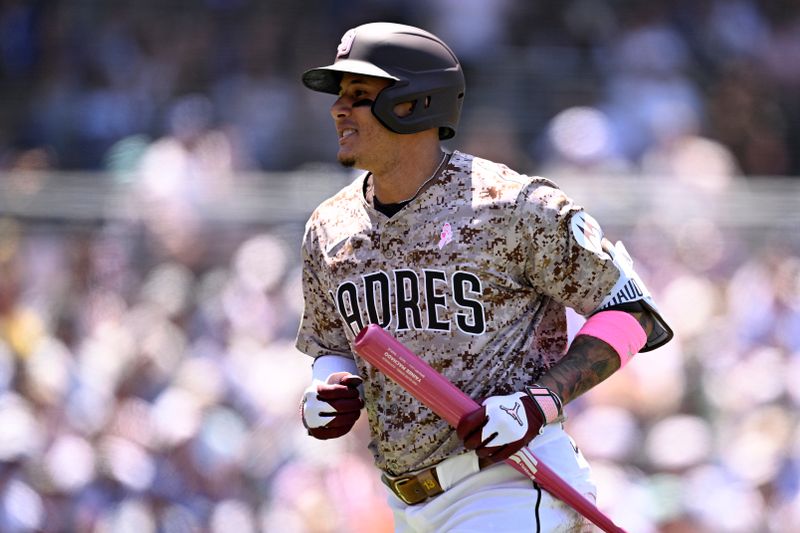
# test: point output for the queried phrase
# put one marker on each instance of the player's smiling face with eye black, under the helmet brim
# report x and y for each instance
(363, 140)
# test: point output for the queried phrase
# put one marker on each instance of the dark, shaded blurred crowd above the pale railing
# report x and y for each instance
(673, 87)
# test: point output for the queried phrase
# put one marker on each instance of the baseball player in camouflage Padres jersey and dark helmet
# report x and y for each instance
(471, 265)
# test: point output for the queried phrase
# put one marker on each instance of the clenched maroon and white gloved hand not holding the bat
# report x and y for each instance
(329, 409)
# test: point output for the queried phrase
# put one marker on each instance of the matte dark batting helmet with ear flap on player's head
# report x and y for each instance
(423, 70)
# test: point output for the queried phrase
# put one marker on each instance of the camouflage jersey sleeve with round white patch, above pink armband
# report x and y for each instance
(565, 259)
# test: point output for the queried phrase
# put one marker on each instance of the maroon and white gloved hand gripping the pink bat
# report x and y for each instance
(504, 424)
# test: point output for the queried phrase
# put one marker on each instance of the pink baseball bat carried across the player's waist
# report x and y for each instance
(420, 379)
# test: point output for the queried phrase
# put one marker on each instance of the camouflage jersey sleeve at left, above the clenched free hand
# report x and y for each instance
(321, 330)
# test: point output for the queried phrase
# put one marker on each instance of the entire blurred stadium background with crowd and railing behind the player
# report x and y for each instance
(159, 160)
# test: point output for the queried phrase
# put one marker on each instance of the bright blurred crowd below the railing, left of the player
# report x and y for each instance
(143, 389)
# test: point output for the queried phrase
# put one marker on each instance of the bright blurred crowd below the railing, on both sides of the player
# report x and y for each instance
(149, 383)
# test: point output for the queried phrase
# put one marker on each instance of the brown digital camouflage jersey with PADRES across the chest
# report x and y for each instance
(473, 275)
